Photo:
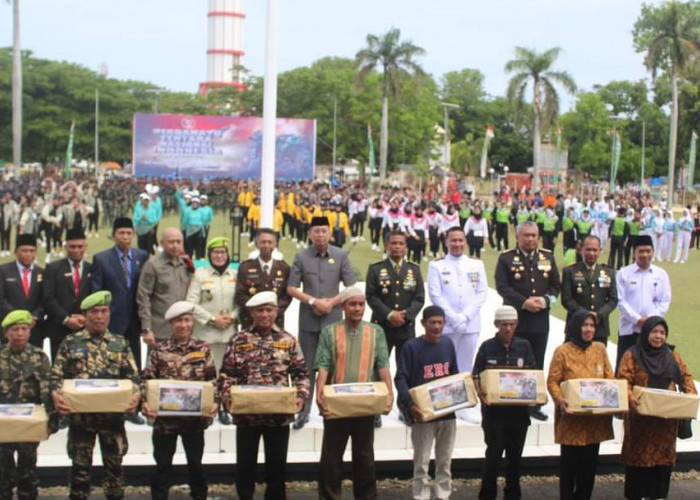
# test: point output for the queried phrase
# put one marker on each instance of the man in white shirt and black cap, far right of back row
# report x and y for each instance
(643, 290)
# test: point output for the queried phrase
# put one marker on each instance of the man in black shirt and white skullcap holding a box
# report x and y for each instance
(505, 427)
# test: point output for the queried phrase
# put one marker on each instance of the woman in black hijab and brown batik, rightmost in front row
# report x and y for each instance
(649, 446)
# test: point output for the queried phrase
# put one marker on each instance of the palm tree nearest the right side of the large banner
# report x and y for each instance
(395, 57)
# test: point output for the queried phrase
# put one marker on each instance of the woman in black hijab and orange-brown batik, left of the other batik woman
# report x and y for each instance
(579, 435)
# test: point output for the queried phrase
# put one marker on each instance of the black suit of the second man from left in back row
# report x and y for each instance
(60, 300)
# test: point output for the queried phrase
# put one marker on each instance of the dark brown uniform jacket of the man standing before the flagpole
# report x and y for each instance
(252, 279)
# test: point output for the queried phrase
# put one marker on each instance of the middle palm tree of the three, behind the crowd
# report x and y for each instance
(531, 66)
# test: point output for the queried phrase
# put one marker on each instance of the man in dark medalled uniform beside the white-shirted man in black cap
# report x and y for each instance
(590, 286)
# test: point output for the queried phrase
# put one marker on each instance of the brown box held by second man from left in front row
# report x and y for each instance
(97, 395)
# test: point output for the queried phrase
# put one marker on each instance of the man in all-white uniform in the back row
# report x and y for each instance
(458, 285)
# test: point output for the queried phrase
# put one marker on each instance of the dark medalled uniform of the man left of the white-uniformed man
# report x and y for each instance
(389, 291)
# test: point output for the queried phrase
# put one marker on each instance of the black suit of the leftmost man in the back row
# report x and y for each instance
(12, 297)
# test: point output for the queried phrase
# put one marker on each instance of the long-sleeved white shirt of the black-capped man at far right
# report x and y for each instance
(641, 293)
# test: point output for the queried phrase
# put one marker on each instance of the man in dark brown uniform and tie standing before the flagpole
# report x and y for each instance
(260, 275)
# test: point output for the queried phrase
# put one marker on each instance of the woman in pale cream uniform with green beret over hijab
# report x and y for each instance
(211, 291)
